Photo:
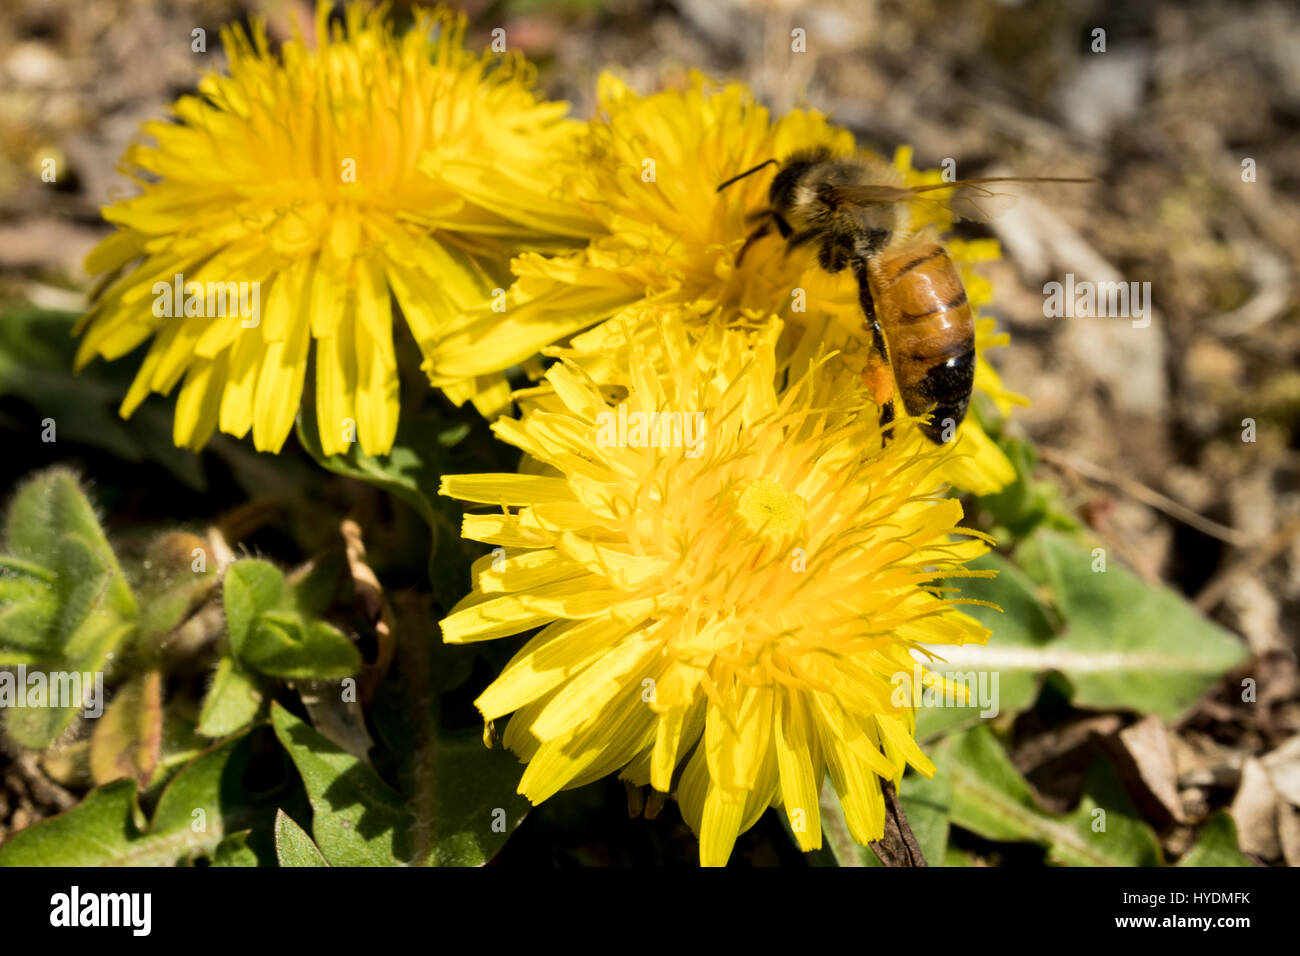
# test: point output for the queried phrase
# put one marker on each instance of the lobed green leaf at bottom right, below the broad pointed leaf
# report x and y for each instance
(991, 799)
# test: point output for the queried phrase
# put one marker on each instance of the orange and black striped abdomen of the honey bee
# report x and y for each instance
(921, 305)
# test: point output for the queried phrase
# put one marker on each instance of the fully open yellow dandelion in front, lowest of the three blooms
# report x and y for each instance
(727, 577)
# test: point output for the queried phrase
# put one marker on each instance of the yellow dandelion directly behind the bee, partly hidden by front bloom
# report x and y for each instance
(648, 171)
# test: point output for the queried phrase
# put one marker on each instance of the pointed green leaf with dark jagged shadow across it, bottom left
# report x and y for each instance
(357, 819)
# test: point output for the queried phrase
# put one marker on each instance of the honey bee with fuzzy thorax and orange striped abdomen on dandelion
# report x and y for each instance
(912, 296)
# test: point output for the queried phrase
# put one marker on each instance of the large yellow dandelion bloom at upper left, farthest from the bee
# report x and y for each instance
(296, 197)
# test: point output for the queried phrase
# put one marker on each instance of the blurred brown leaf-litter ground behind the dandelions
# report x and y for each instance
(1189, 120)
